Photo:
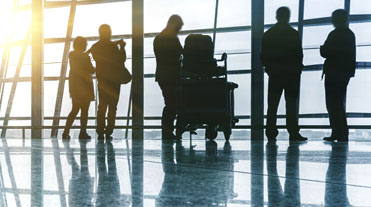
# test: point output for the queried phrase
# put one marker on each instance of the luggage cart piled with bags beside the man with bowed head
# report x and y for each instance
(206, 96)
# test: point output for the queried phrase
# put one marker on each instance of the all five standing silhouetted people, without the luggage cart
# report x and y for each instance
(281, 55)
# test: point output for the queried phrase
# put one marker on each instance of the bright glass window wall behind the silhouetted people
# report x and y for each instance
(232, 35)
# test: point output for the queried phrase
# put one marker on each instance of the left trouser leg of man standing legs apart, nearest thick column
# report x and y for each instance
(274, 95)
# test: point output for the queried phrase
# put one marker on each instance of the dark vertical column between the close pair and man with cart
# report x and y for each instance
(137, 70)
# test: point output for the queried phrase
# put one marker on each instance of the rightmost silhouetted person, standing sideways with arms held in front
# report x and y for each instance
(339, 50)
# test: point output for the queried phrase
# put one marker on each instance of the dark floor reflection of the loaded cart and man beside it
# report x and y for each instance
(184, 185)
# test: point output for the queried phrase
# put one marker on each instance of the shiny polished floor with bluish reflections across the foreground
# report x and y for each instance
(188, 173)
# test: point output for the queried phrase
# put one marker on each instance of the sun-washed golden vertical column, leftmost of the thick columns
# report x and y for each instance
(37, 115)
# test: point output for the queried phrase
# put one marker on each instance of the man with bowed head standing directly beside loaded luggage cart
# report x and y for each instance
(168, 51)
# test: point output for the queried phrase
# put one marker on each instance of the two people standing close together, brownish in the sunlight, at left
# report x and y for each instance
(109, 57)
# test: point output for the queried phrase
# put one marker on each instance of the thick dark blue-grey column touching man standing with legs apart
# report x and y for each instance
(257, 72)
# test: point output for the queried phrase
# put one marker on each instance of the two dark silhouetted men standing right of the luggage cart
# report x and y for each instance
(282, 57)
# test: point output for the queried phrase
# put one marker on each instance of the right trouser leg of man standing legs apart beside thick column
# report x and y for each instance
(292, 99)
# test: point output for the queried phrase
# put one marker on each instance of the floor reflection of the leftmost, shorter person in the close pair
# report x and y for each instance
(81, 183)
